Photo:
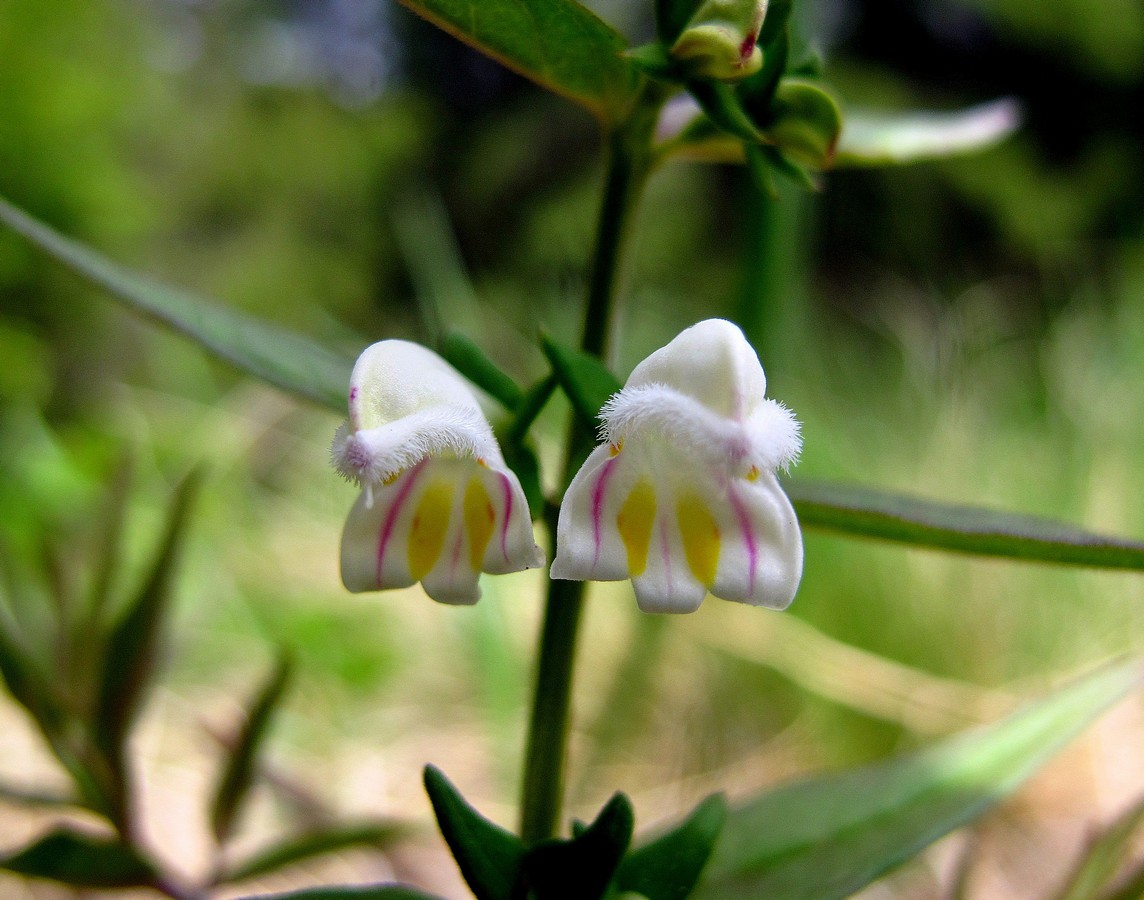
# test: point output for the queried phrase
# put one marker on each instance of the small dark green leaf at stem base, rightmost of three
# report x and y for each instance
(669, 867)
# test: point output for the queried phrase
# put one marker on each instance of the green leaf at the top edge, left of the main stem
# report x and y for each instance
(558, 44)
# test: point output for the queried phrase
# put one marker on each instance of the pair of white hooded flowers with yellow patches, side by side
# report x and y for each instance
(681, 497)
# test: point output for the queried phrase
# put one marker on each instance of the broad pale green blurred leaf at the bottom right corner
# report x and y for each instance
(829, 838)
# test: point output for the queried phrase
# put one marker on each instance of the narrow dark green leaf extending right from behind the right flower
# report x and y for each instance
(947, 527)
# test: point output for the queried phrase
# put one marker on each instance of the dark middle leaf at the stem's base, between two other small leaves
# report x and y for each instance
(584, 867)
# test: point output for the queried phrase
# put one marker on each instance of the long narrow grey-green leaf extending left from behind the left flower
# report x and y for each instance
(284, 359)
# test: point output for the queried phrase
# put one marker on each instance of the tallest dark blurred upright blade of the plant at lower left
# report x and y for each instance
(133, 646)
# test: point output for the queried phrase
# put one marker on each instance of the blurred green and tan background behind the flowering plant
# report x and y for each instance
(968, 331)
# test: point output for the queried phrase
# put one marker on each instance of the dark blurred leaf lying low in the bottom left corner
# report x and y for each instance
(82, 862)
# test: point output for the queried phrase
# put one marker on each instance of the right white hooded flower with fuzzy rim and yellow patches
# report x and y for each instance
(682, 497)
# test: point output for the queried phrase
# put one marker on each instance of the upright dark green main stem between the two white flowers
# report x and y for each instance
(630, 162)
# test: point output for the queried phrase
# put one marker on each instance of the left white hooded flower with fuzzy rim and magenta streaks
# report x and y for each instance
(439, 505)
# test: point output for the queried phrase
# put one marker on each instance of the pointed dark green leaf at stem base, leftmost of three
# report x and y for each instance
(489, 856)
